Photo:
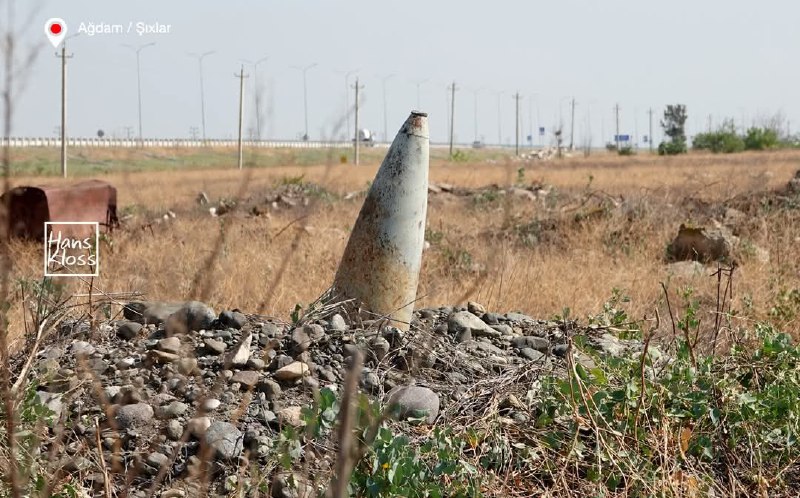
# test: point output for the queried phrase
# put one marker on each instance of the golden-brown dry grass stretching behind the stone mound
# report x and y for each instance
(475, 254)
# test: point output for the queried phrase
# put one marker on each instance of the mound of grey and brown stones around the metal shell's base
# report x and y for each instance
(179, 398)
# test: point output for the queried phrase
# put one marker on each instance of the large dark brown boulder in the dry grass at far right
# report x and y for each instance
(701, 244)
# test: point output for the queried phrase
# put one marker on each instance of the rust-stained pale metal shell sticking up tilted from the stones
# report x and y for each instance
(382, 260)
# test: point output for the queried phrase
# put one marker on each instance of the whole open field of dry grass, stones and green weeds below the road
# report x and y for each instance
(611, 380)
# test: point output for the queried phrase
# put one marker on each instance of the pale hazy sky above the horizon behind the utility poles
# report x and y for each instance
(722, 58)
